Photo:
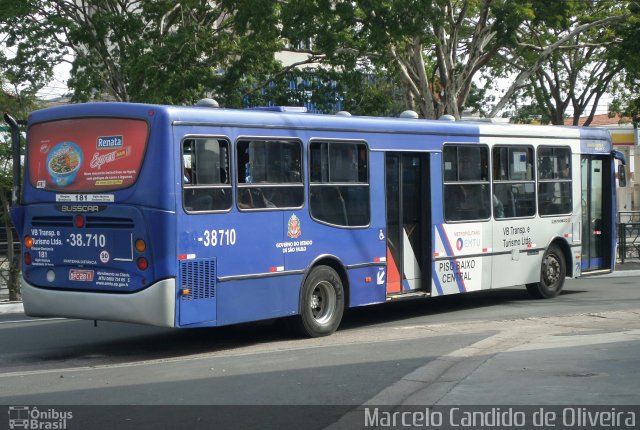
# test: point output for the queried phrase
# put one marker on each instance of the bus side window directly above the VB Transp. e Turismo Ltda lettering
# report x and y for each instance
(513, 182)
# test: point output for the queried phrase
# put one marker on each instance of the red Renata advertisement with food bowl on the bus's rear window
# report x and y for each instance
(86, 155)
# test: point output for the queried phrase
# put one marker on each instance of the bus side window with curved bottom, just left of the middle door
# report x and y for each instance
(339, 185)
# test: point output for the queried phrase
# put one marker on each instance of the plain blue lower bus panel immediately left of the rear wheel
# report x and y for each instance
(258, 299)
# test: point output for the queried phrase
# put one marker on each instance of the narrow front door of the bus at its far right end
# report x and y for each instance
(596, 218)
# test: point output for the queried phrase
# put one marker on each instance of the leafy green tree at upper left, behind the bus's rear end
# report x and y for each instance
(145, 50)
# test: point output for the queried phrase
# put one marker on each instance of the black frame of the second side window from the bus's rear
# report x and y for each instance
(237, 185)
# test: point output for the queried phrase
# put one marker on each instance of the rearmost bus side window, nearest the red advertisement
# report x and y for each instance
(205, 175)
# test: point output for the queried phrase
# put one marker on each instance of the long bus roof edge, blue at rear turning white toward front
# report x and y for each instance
(251, 118)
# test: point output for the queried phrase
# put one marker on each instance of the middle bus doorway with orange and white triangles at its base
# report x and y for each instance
(408, 223)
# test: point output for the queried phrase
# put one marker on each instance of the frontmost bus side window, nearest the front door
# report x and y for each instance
(554, 181)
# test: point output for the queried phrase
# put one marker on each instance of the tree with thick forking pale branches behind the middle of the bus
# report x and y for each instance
(434, 48)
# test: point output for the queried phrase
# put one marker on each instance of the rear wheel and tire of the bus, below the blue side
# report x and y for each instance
(321, 303)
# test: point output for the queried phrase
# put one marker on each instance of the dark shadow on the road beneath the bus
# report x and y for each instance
(75, 343)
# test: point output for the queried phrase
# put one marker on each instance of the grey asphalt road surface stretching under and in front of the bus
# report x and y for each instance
(384, 354)
